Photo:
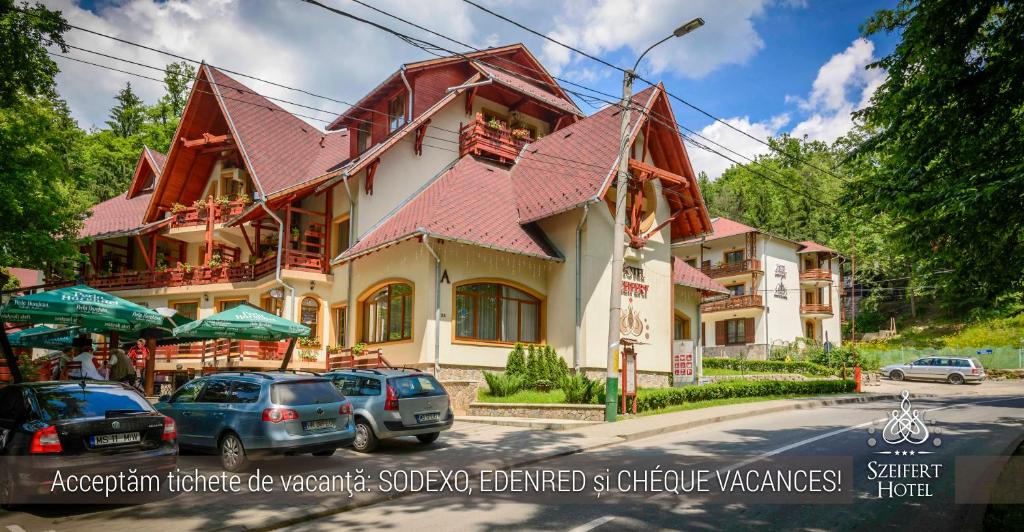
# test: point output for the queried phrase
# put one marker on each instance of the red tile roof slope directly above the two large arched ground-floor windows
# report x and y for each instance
(472, 203)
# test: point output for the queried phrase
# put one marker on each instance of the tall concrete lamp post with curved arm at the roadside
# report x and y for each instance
(612, 394)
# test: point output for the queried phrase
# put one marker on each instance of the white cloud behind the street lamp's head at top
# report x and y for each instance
(602, 27)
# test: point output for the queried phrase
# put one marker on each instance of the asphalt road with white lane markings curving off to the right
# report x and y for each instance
(968, 425)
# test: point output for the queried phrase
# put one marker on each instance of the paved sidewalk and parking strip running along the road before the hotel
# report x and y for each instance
(471, 448)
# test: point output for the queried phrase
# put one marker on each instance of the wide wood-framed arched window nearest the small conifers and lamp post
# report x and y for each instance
(494, 313)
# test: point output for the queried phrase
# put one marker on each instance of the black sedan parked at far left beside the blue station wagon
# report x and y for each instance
(81, 430)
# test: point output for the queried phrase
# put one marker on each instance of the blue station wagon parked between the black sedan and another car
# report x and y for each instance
(241, 415)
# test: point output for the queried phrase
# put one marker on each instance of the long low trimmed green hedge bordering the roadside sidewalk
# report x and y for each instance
(653, 400)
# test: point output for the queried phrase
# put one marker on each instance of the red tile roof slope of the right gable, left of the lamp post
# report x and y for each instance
(572, 166)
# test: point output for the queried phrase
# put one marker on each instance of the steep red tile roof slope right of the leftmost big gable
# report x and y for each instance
(281, 150)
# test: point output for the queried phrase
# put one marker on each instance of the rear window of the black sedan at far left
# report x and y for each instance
(74, 403)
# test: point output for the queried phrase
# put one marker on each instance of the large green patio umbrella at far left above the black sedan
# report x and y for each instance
(82, 306)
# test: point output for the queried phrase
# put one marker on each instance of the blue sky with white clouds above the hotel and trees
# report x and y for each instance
(767, 67)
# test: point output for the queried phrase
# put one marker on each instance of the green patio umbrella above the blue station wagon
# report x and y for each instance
(246, 323)
